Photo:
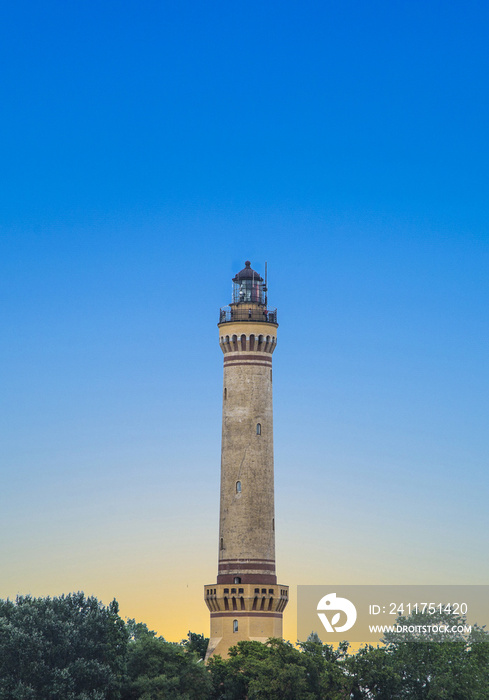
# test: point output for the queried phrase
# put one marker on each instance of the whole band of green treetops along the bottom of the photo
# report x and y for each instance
(74, 648)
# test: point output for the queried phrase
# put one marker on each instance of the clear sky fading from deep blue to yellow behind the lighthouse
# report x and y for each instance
(147, 150)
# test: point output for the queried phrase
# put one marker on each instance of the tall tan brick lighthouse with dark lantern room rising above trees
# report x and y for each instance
(246, 603)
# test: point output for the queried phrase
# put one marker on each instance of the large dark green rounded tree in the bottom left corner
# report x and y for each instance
(66, 648)
